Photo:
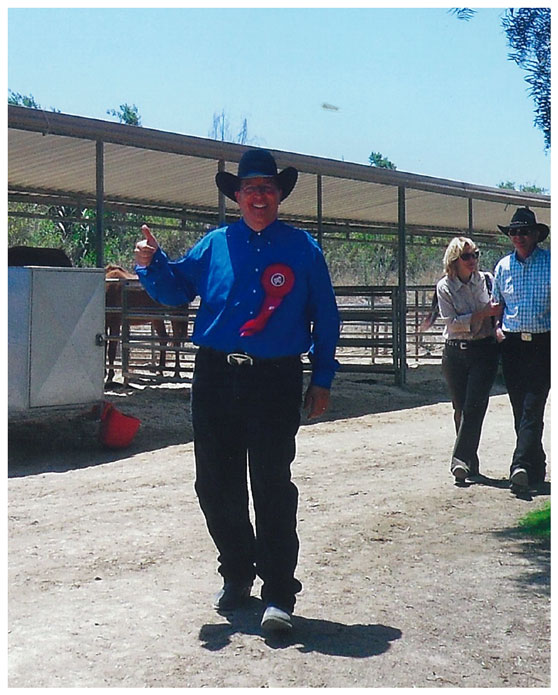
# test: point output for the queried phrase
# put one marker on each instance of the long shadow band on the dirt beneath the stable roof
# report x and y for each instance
(61, 443)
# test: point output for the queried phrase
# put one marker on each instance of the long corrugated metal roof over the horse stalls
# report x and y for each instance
(55, 154)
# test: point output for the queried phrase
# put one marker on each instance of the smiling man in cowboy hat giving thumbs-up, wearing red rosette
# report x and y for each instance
(266, 298)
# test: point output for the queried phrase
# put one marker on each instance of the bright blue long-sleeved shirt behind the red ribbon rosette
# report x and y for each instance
(224, 269)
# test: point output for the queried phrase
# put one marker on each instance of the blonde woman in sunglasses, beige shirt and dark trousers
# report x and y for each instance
(470, 357)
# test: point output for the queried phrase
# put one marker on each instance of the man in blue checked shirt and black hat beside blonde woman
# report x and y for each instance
(522, 287)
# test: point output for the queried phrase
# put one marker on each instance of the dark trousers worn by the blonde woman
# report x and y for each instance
(469, 375)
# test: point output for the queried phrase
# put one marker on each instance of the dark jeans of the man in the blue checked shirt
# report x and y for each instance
(526, 368)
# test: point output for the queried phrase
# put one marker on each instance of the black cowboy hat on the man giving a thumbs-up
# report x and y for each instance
(256, 163)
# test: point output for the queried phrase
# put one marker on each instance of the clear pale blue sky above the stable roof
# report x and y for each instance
(435, 95)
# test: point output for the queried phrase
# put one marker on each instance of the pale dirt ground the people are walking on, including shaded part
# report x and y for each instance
(408, 579)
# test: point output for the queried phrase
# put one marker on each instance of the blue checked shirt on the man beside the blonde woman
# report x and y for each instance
(524, 289)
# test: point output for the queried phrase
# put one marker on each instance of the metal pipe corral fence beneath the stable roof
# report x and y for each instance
(370, 340)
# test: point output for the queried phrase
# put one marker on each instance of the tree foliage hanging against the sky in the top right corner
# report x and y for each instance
(528, 33)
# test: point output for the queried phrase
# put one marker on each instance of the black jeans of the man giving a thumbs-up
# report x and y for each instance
(247, 417)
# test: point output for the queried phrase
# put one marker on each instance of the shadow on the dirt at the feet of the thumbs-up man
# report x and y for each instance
(308, 634)
